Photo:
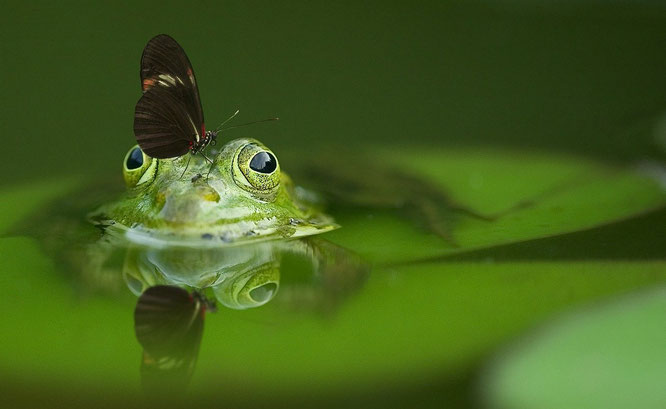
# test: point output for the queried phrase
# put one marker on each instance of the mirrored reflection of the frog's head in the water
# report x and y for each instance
(311, 273)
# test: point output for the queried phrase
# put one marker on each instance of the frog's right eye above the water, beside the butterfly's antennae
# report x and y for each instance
(257, 170)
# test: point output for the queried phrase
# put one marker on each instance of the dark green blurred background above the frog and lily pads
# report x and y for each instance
(581, 76)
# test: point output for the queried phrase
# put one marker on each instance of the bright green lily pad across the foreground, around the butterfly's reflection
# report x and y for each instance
(407, 324)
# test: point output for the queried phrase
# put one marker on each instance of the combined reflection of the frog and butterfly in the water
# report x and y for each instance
(308, 274)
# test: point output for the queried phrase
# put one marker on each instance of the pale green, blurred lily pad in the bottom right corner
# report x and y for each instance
(610, 356)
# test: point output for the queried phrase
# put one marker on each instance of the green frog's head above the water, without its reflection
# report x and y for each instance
(243, 196)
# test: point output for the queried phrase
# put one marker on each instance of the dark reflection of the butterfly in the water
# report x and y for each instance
(168, 323)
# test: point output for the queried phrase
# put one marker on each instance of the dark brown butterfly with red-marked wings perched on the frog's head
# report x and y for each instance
(168, 119)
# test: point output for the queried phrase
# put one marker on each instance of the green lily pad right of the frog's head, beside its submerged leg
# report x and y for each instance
(533, 195)
